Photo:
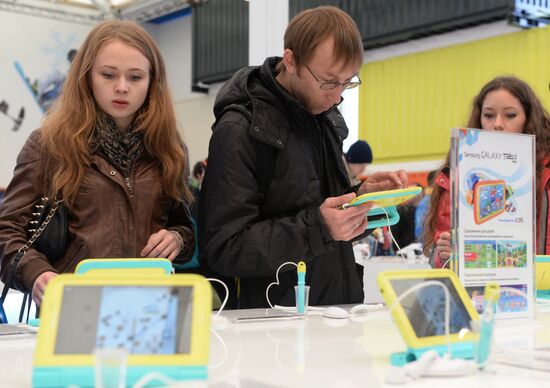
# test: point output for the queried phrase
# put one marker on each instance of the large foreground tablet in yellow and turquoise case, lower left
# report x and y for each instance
(162, 322)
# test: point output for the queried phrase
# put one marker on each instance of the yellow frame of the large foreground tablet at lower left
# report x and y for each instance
(45, 355)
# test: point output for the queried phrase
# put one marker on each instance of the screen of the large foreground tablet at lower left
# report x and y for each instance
(141, 319)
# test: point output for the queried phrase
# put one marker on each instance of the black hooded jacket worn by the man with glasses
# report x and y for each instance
(241, 237)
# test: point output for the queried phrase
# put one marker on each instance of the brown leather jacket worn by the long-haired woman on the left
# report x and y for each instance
(107, 219)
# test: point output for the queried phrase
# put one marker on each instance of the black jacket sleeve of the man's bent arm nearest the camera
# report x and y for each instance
(236, 239)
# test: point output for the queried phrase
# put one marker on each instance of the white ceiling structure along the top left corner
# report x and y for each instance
(92, 11)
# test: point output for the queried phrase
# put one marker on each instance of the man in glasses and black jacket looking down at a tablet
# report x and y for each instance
(275, 183)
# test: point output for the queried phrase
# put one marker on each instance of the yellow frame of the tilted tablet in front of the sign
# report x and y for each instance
(400, 317)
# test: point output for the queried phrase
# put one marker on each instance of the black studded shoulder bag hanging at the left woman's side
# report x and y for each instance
(48, 233)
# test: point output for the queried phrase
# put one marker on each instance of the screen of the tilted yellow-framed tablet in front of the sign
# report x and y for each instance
(425, 308)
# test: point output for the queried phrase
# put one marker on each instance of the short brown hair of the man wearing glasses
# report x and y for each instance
(313, 26)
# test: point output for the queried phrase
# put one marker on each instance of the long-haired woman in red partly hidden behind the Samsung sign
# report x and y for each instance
(504, 104)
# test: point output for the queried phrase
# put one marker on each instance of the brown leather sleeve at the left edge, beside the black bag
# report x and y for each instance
(23, 191)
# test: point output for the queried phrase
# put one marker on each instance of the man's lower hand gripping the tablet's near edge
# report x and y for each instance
(344, 224)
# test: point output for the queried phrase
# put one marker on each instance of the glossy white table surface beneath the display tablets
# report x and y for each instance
(317, 352)
